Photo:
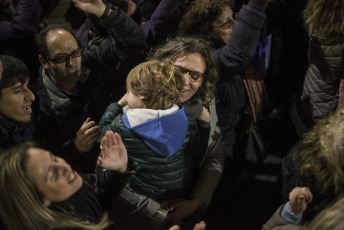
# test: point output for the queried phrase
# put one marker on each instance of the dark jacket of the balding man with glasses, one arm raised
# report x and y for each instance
(58, 125)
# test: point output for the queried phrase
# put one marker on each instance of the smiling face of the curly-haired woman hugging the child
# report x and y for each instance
(193, 62)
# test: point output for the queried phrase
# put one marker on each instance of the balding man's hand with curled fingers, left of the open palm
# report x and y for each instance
(87, 136)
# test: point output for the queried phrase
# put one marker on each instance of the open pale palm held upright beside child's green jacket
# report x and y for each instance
(114, 154)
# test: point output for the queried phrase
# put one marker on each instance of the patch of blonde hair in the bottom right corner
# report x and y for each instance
(331, 218)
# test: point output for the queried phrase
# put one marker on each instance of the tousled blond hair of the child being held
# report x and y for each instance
(158, 81)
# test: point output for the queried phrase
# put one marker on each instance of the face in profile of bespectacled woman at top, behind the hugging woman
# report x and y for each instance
(223, 25)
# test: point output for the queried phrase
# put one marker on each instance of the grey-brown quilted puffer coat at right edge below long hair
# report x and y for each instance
(325, 70)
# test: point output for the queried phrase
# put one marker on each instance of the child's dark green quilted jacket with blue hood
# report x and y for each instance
(160, 177)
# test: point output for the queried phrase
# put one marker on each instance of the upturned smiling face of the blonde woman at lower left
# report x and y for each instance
(53, 177)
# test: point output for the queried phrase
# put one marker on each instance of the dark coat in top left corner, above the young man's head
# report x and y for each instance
(17, 31)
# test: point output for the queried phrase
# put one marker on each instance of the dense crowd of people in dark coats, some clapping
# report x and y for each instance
(124, 114)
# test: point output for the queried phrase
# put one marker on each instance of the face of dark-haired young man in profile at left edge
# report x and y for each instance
(15, 103)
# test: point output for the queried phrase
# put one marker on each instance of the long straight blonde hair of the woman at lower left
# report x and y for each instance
(21, 204)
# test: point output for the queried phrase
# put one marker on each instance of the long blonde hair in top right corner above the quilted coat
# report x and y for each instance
(325, 17)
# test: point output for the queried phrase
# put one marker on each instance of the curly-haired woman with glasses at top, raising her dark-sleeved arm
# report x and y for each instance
(233, 41)
